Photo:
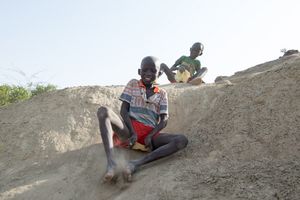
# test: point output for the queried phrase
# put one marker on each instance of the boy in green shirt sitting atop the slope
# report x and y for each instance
(188, 67)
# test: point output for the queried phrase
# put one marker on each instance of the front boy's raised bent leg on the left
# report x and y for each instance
(110, 122)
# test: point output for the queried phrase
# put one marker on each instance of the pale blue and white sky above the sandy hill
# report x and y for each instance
(95, 42)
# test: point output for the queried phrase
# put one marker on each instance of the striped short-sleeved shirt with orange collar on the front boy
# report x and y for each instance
(145, 110)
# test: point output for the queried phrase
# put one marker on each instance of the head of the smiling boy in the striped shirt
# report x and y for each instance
(149, 70)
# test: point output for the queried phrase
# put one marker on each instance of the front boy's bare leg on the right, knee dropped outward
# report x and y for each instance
(164, 145)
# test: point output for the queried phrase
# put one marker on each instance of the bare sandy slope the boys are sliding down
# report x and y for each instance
(244, 142)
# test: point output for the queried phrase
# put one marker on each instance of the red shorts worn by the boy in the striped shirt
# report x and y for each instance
(141, 130)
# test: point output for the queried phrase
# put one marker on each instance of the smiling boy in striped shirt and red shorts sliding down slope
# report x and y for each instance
(144, 113)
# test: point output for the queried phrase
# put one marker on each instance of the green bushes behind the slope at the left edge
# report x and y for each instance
(12, 93)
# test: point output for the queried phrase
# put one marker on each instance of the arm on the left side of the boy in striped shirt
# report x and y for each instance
(126, 118)
